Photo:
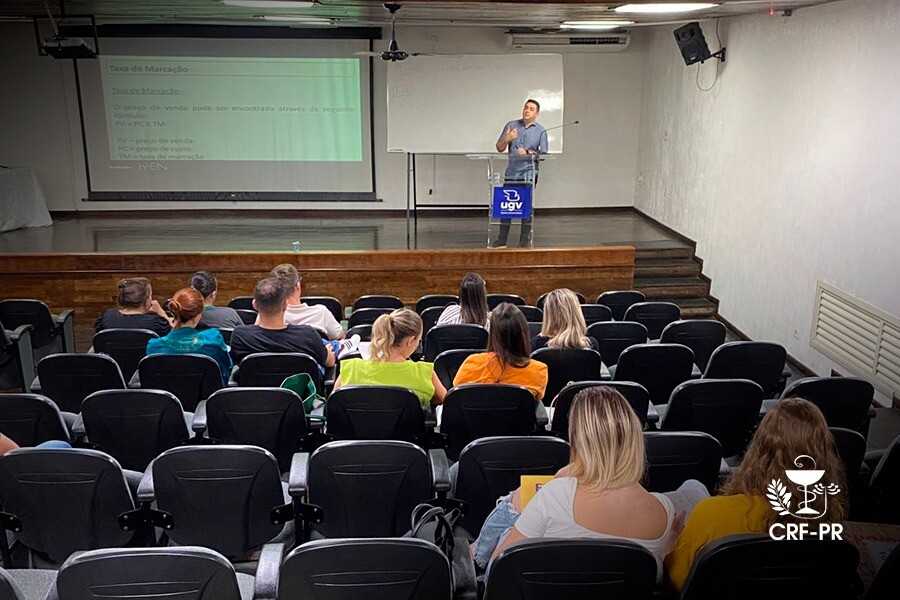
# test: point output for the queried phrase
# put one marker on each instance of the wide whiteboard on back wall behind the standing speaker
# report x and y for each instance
(458, 104)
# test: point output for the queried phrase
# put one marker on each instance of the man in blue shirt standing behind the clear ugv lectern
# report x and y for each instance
(525, 139)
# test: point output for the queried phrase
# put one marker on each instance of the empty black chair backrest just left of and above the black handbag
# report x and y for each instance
(368, 488)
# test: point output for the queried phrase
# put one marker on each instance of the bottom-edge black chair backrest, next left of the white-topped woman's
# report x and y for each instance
(362, 569)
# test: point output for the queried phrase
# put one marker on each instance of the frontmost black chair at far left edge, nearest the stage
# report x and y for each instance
(50, 333)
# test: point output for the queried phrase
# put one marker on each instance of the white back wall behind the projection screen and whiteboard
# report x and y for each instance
(40, 127)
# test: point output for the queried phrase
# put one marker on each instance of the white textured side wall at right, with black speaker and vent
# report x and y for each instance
(786, 172)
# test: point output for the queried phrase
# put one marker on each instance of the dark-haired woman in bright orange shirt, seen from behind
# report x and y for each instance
(507, 358)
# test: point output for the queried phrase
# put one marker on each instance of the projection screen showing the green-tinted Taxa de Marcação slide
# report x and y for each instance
(228, 119)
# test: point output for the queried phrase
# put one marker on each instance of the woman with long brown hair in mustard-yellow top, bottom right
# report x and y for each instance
(793, 428)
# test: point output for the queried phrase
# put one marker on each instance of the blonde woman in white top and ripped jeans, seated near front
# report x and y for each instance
(598, 495)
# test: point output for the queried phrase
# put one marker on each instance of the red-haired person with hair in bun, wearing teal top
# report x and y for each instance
(187, 306)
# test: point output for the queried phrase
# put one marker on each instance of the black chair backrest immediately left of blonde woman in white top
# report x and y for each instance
(491, 467)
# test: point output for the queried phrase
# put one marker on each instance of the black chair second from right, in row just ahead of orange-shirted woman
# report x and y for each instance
(658, 367)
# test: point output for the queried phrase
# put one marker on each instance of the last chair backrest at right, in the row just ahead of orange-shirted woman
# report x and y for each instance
(762, 362)
